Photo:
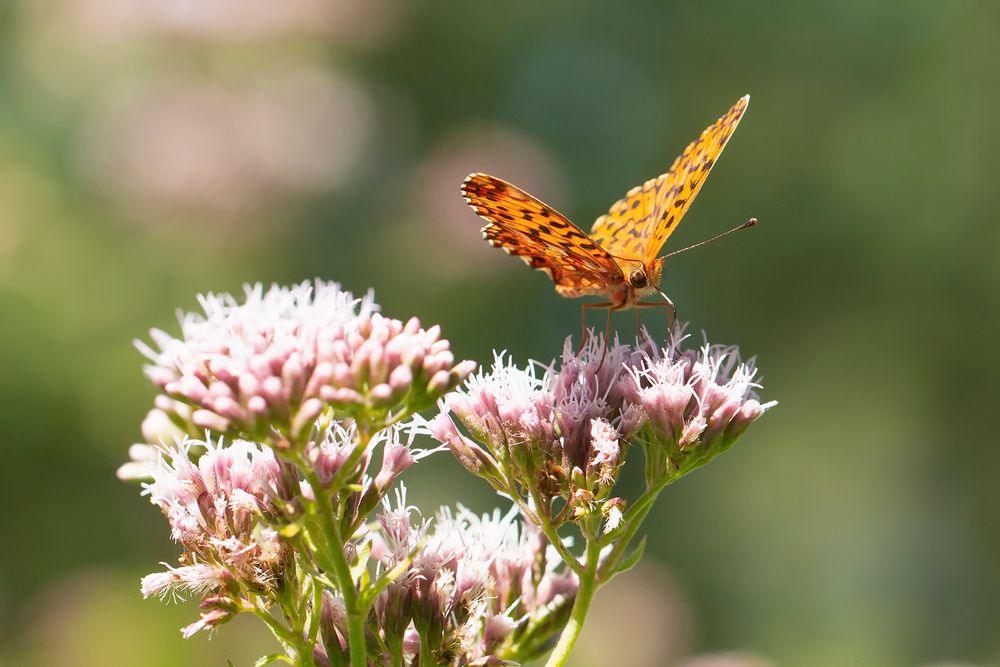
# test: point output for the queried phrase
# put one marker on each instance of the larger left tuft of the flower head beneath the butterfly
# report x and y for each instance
(545, 430)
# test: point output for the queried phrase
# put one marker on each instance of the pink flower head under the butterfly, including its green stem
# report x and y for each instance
(555, 439)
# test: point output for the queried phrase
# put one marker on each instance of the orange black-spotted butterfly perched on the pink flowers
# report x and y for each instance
(618, 260)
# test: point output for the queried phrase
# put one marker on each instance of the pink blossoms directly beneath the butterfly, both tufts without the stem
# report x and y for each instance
(566, 431)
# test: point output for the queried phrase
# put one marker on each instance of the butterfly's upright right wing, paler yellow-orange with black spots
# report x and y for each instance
(637, 226)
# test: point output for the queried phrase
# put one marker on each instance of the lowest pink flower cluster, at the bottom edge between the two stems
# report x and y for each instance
(471, 582)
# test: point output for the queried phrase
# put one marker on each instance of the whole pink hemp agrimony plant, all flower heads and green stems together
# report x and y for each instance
(285, 419)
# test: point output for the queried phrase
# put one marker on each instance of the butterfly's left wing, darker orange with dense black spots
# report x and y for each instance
(541, 236)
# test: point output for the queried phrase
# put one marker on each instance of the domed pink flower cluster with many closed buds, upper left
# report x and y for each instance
(280, 356)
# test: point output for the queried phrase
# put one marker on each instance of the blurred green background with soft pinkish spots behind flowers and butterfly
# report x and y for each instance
(150, 151)
